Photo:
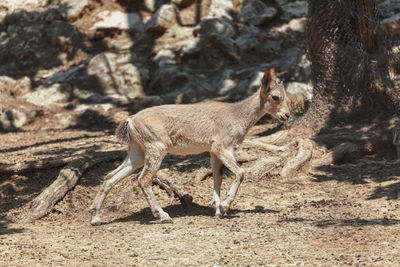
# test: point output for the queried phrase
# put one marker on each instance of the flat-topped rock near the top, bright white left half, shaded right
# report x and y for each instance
(118, 20)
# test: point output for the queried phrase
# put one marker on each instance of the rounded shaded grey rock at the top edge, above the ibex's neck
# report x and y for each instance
(256, 13)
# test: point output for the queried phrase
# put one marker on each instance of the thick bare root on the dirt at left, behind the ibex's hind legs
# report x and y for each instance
(66, 180)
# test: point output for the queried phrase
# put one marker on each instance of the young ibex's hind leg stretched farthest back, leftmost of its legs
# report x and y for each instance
(132, 162)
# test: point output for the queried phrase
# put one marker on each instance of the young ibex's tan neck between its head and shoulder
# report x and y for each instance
(249, 110)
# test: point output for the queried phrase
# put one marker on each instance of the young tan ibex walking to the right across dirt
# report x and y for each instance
(215, 127)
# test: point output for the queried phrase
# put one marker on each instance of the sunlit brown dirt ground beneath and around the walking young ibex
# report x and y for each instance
(327, 216)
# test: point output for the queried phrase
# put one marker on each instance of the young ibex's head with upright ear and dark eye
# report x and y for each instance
(274, 96)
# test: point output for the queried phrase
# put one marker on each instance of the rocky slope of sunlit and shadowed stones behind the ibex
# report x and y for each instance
(88, 63)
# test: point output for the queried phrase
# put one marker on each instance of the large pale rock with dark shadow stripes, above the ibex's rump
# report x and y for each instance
(116, 74)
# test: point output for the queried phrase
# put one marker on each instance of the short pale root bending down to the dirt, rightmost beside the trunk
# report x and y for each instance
(303, 155)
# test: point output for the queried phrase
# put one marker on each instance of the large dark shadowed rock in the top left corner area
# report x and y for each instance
(35, 44)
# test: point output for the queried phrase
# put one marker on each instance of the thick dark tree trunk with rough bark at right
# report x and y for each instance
(350, 55)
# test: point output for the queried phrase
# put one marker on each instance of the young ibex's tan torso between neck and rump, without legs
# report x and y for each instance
(186, 129)
